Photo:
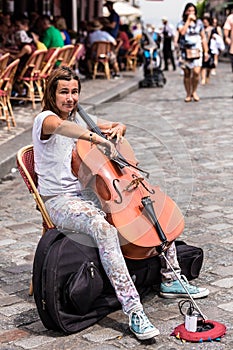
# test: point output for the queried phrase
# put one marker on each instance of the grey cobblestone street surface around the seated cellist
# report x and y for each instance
(187, 148)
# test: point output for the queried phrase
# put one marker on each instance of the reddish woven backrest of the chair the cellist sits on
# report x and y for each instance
(25, 163)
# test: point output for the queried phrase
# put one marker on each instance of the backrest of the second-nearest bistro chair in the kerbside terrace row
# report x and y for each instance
(33, 65)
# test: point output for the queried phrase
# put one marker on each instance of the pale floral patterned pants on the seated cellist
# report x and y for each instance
(81, 214)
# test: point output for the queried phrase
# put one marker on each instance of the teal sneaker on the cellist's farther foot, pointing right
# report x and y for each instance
(174, 289)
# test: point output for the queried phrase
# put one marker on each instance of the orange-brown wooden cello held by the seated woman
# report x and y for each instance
(146, 218)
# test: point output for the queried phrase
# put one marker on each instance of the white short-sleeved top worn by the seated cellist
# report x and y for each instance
(53, 160)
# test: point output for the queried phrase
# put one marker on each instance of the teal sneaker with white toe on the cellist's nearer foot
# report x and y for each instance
(140, 325)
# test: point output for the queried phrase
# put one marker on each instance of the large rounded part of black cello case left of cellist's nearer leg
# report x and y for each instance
(65, 270)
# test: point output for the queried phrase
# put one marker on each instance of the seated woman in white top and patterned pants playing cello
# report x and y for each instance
(72, 208)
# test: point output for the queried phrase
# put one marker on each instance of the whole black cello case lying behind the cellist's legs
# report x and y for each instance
(71, 289)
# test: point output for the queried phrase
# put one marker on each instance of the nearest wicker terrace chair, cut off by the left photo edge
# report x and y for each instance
(6, 84)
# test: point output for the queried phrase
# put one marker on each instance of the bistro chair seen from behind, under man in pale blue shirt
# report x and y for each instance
(100, 53)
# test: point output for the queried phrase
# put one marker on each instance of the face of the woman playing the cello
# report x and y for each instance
(67, 95)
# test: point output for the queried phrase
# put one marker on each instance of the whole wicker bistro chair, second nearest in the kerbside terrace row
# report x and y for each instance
(30, 78)
